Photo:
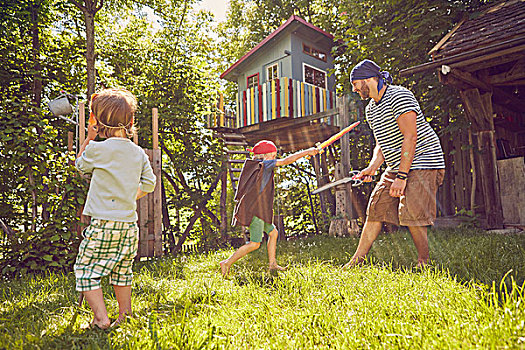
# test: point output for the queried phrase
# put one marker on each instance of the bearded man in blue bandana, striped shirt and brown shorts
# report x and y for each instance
(406, 192)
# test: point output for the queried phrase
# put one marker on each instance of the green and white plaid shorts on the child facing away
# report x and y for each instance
(108, 248)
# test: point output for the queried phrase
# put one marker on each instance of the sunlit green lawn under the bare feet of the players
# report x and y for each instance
(184, 303)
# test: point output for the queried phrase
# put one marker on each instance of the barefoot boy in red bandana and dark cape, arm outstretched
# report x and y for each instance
(254, 197)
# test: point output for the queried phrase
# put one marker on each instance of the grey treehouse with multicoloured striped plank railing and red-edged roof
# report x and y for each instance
(282, 80)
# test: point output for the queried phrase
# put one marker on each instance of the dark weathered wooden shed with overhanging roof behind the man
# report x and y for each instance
(483, 57)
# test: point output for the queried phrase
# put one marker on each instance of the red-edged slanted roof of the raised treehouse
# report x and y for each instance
(293, 24)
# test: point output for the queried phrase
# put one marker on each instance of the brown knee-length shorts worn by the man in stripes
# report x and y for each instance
(417, 207)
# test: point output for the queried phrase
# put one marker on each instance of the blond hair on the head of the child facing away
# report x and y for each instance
(114, 110)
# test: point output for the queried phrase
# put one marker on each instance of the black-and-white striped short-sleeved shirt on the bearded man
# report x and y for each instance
(382, 118)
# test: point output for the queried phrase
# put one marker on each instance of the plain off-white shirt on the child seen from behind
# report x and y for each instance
(119, 168)
